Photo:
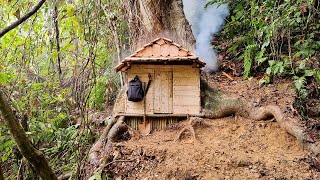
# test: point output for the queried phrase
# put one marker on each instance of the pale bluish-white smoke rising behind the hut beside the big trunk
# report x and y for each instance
(204, 24)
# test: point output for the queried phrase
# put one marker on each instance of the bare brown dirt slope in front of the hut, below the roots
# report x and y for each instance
(229, 149)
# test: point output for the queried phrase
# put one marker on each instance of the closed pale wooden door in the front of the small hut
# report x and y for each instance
(163, 92)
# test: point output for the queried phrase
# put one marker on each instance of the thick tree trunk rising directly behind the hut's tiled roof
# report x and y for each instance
(149, 19)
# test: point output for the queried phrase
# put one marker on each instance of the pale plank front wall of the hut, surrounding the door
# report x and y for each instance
(185, 87)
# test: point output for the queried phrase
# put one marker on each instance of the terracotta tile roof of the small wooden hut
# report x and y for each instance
(160, 50)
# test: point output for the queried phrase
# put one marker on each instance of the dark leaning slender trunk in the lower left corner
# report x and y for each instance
(33, 155)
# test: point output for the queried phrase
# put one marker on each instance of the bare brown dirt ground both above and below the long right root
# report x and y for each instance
(230, 148)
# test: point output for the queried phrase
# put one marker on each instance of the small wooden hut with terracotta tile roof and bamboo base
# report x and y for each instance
(175, 83)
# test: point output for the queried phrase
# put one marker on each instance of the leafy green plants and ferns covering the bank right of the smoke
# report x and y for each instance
(277, 38)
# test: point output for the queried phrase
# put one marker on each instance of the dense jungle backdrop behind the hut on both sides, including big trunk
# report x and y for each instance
(57, 67)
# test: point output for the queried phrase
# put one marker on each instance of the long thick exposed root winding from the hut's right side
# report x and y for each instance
(217, 106)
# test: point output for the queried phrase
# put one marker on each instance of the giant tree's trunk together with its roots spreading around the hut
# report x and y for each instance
(149, 19)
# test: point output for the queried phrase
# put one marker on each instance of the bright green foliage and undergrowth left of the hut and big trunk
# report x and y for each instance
(29, 74)
